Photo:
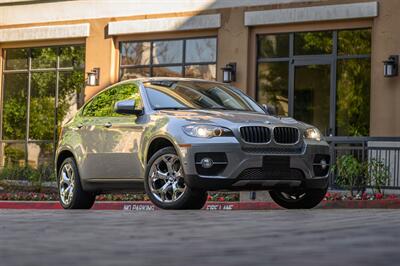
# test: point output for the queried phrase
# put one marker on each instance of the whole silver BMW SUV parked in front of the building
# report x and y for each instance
(179, 138)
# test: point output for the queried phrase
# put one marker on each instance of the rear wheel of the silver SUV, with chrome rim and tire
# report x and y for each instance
(70, 189)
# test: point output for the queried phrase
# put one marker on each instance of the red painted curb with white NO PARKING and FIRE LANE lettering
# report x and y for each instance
(147, 206)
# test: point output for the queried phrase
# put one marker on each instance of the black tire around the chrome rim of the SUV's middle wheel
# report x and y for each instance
(190, 199)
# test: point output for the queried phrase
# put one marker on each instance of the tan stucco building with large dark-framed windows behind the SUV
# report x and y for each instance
(320, 61)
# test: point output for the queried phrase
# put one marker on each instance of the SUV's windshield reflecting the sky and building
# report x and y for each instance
(198, 95)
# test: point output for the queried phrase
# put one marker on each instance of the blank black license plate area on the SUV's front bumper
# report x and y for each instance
(276, 167)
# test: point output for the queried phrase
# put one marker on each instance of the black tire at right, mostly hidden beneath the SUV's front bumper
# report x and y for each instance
(309, 199)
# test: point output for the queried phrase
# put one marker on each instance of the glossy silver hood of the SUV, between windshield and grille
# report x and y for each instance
(221, 117)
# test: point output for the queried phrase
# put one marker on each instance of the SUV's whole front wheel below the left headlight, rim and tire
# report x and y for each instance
(165, 183)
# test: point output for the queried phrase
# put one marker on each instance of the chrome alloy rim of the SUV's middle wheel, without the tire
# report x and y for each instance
(166, 178)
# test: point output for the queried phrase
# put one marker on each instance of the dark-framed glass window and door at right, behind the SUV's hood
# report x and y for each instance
(298, 72)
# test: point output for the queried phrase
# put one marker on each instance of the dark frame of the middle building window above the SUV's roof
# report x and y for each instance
(183, 64)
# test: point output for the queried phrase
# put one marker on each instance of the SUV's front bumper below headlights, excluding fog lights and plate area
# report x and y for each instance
(242, 162)
